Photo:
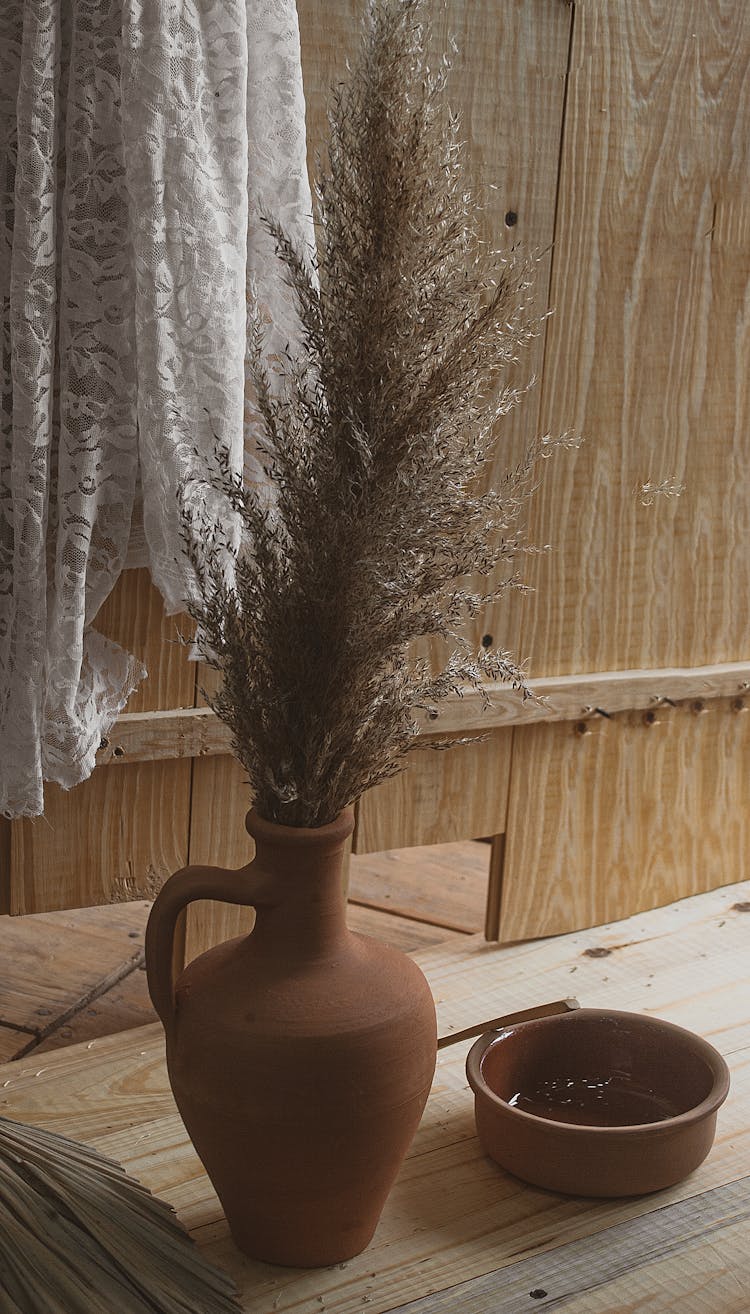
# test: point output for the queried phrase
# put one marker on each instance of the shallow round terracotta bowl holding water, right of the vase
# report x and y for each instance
(597, 1103)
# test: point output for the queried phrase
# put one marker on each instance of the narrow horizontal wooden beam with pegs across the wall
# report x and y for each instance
(198, 733)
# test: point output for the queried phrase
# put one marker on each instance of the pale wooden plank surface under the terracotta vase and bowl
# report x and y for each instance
(458, 1233)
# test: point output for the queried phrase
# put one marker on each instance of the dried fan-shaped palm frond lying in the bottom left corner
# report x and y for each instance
(78, 1236)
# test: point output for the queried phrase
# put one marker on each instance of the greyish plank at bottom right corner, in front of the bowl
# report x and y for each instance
(655, 1257)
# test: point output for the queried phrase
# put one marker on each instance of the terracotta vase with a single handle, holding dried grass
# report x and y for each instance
(300, 1056)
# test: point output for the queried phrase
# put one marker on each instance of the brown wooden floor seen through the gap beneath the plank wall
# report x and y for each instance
(72, 977)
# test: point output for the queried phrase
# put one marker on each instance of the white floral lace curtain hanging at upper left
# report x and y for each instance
(140, 141)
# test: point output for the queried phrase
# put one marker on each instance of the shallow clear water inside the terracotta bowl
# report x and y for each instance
(615, 1100)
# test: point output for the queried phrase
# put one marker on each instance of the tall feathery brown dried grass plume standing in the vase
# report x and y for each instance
(375, 433)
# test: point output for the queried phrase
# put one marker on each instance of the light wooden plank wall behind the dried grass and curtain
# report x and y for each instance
(613, 139)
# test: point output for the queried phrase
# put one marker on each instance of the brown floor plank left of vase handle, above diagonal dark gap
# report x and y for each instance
(55, 964)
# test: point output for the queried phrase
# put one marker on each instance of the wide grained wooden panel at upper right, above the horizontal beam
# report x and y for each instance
(648, 353)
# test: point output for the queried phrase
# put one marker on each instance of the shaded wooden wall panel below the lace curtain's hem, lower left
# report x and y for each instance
(127, 826)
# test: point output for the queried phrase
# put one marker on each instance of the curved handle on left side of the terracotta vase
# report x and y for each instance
(246, 886)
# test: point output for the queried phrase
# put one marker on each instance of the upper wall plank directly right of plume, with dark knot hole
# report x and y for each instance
(509, 87)
